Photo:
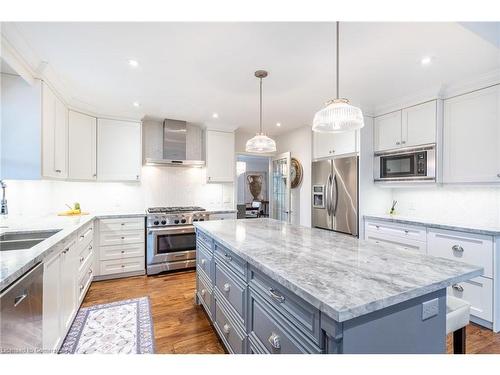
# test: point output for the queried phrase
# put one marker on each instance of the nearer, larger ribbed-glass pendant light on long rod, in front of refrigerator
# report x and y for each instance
(338, 115)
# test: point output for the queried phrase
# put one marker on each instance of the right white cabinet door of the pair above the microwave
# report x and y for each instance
(419, 124)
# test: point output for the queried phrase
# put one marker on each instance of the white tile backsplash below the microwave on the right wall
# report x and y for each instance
(474, 205)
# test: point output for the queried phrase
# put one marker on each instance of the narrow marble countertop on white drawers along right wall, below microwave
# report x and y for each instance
(489, 230)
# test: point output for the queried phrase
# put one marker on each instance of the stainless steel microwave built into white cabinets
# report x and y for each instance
(408, 164)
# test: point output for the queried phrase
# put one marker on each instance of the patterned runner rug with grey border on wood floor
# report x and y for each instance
(123, 327)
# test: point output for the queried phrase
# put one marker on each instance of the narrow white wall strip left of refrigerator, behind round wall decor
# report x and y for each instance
(299, 143)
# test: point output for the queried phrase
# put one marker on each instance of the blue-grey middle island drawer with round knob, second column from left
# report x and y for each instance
(232, 289)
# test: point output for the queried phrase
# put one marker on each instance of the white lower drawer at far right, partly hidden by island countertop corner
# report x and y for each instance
(479, 293)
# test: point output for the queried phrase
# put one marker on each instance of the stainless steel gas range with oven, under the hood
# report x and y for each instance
(171, 239)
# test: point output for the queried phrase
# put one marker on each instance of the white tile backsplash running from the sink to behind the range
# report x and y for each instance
(159, 186)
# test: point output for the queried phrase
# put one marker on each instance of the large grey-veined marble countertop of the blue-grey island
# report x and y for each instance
(341, 275)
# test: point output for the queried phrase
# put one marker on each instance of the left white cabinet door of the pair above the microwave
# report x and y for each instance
(387, 131)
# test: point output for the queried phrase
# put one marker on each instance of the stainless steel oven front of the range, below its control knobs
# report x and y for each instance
(170, 248)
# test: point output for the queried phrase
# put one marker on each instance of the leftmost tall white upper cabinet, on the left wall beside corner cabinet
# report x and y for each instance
(54, 135)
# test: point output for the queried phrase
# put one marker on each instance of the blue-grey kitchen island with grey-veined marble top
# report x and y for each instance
(274, 287)
